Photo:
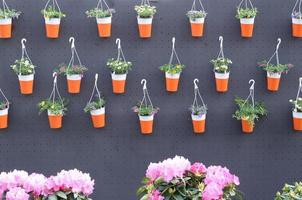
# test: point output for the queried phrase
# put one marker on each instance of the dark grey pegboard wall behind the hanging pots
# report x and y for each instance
(118, 155)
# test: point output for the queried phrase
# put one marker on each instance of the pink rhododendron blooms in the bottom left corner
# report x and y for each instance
(19, 185)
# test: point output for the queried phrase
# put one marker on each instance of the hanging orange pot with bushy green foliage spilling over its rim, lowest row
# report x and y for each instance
(248, 110)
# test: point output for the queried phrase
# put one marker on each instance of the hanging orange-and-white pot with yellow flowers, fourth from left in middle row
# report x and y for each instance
(172, 71)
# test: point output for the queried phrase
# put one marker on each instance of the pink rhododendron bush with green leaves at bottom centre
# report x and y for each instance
(178, 179)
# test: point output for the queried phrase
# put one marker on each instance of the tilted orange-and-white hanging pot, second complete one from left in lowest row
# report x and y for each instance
(96, 107)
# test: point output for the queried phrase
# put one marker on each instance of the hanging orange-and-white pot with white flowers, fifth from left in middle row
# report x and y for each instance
(221, 69)
